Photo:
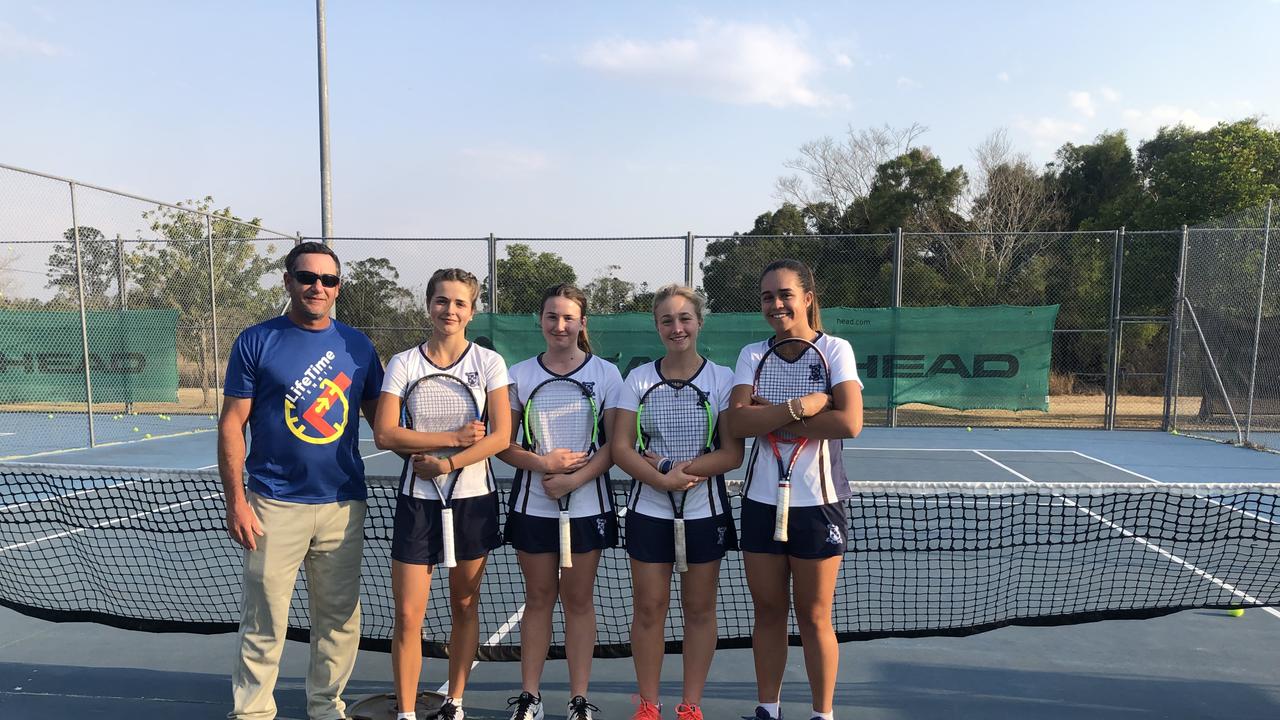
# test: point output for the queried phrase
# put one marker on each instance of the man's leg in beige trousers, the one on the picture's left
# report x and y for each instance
(271, 575)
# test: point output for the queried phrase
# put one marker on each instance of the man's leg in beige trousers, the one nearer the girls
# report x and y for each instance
(333, 586)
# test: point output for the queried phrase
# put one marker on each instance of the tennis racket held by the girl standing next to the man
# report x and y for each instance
(441, 404)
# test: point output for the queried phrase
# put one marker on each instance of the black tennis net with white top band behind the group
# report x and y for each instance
(148, 550)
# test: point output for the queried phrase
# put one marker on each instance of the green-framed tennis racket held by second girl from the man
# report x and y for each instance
(561, 413)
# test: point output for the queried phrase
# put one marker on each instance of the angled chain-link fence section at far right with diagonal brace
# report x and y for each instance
(1227, 330)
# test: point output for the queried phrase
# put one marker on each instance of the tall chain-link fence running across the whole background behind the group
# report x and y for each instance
(162, 281)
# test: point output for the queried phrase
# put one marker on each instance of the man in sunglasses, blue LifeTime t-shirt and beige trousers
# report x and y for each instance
(300, 384)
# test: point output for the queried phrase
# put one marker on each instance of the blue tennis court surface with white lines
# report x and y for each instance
(1194, 664)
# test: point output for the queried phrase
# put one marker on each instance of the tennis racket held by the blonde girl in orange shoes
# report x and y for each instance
(675, 420)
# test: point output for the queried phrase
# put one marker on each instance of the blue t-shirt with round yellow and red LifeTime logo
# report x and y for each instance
(305, 425)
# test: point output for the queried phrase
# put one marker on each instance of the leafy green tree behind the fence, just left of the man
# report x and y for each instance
(175, 274)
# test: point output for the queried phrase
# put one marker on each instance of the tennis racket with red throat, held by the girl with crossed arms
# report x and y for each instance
(789, 370)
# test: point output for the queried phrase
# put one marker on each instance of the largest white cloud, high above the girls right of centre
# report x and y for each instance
(746, 65)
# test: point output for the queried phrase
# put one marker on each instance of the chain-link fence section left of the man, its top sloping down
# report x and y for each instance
(118, 312)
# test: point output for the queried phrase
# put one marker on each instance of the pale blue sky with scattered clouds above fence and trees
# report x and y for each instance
(568, 120)
